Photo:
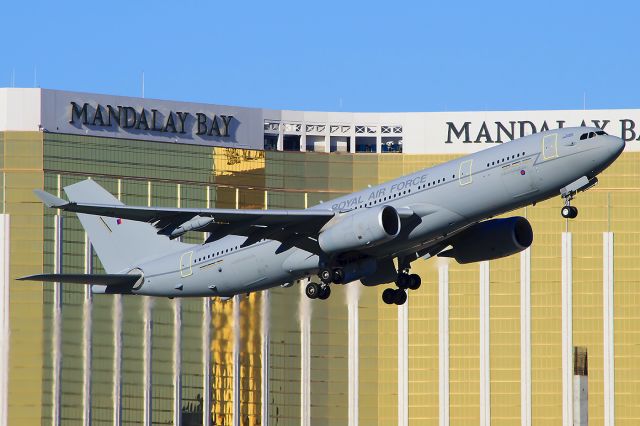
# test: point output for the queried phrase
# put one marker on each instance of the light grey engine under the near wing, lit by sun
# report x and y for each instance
(364, 229)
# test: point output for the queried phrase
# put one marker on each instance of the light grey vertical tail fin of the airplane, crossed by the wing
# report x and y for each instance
(119, 243)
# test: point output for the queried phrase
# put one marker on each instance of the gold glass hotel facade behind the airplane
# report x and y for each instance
(143, 172)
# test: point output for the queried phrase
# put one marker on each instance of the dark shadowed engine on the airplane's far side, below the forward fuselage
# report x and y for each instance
(491, 239)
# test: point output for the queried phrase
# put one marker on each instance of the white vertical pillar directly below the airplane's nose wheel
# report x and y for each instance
(567, 330)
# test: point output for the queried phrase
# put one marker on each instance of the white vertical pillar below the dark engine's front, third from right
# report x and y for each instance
(525, 337)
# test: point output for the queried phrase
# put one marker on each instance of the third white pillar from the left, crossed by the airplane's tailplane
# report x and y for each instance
(87, 331)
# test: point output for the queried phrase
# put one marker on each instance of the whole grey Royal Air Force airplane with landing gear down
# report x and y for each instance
(372, 235)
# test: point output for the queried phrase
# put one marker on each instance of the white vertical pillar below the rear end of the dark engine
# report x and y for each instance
(443, 344)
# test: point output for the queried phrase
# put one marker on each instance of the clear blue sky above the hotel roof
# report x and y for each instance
(332, 55)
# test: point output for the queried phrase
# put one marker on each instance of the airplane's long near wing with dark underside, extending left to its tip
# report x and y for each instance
(292, 227)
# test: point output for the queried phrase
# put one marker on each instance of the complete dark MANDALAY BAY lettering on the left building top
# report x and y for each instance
(149, 120)
